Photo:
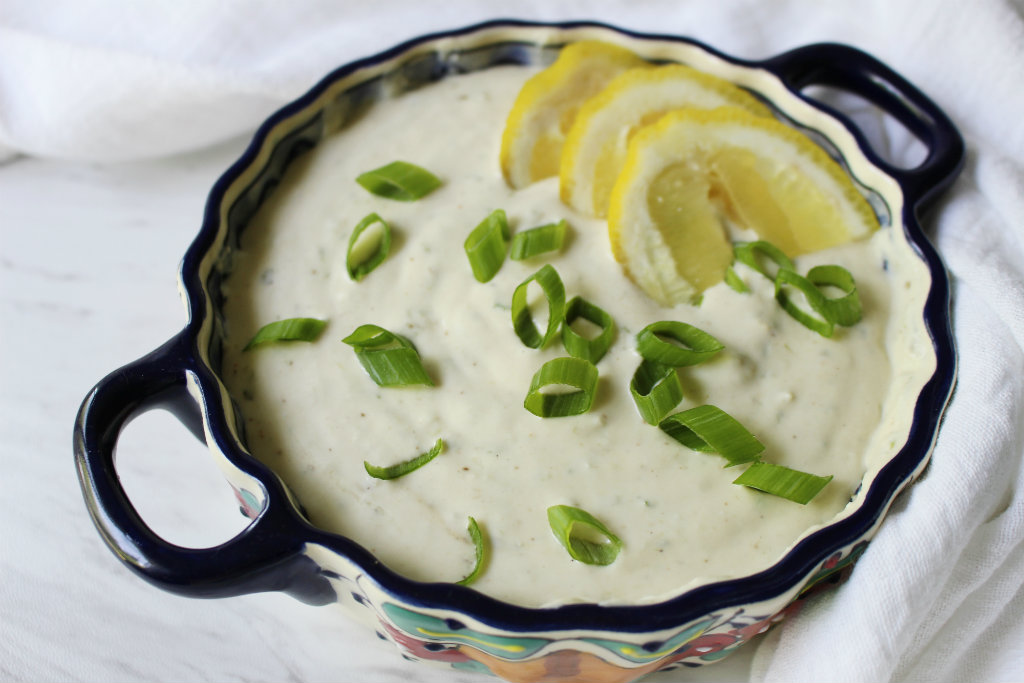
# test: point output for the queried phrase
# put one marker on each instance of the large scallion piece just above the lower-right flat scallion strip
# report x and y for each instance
(710, 430)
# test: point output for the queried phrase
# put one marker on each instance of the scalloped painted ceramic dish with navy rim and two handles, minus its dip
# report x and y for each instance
(450, 624)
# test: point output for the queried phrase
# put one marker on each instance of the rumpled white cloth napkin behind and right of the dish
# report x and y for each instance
(940, 595)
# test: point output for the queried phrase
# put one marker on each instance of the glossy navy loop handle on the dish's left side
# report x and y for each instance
(268, 556)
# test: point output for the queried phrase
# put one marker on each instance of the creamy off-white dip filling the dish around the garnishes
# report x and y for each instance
(312, 413)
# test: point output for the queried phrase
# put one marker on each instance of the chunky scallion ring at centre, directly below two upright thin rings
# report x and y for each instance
(556, 376)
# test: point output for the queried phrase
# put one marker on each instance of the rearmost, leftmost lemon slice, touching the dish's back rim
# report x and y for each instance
(532, 144)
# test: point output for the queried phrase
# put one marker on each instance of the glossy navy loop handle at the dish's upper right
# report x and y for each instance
(859, 73)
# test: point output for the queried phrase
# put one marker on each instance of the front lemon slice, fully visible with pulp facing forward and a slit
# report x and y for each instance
(694, 173)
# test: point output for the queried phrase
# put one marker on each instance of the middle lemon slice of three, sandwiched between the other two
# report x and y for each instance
(595, 146)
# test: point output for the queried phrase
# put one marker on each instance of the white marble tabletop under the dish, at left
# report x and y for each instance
(90, 258)
